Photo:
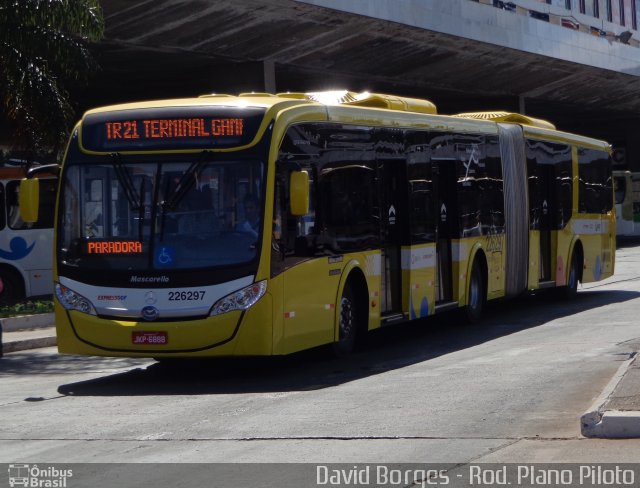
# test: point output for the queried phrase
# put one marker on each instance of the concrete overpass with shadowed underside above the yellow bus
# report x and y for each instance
(462, 55)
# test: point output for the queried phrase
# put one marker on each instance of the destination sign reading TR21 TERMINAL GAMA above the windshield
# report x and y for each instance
(170, 128)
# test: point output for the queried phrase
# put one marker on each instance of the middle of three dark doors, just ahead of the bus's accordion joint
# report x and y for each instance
(444, 183)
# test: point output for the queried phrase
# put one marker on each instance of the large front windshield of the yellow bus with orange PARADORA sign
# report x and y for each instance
(123, 213)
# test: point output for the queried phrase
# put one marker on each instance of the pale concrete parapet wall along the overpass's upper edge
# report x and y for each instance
(484, 23)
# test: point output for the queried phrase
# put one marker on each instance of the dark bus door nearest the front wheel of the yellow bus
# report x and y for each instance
(393, 219)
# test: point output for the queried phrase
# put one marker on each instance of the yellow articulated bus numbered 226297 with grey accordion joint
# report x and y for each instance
(267, 224)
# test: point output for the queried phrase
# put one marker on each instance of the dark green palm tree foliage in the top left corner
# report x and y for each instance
(43, 50)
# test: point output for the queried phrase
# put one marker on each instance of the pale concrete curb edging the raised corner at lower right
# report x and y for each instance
(599, 422)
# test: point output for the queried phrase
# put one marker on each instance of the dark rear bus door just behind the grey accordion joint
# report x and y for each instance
(548, 208)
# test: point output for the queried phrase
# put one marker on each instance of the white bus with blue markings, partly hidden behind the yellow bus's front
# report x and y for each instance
(26, 248)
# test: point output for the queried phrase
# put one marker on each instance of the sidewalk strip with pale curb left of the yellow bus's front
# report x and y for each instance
(27, 332)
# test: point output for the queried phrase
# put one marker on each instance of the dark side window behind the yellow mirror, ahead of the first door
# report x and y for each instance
(341, 166)
